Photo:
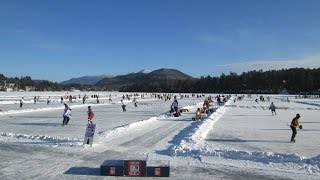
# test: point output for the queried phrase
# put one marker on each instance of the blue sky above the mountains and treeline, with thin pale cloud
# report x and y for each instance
(58, 40)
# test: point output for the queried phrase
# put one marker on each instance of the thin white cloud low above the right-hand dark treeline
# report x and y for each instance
(308, 62)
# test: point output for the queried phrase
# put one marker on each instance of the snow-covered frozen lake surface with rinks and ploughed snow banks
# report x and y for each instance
(241, 140)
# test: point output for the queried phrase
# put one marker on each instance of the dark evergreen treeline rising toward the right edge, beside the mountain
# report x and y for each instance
(293, 80)
